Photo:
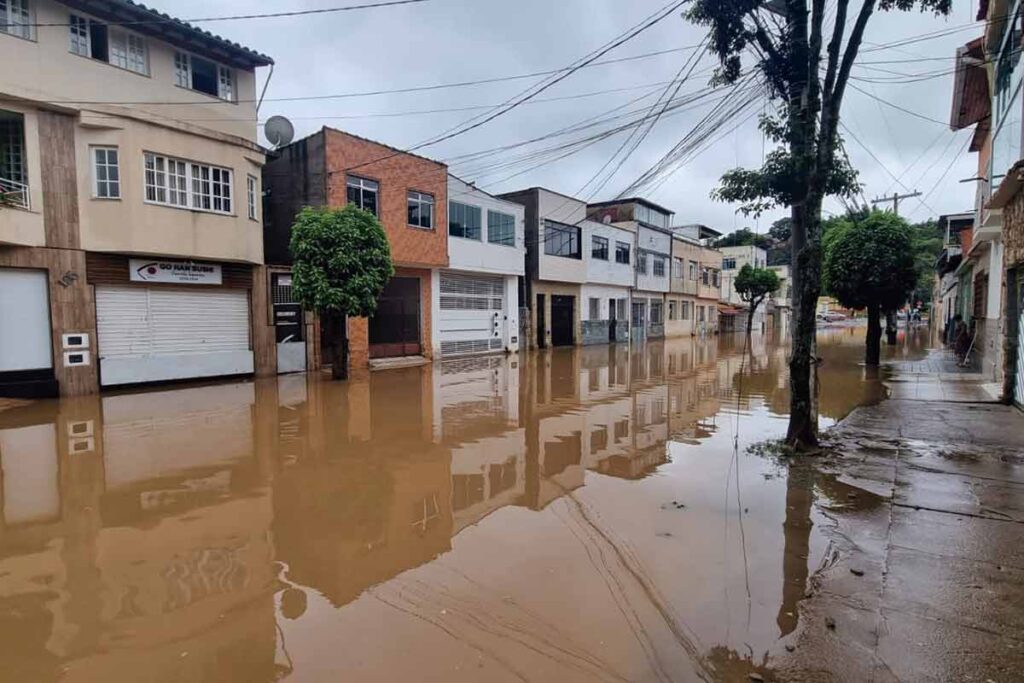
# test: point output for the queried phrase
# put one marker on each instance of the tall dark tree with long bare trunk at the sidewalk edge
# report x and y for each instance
(805, 51)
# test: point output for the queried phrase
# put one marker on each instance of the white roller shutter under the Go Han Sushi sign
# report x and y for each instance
(159, 334)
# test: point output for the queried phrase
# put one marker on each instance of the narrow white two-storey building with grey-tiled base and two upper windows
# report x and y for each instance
(606, 295)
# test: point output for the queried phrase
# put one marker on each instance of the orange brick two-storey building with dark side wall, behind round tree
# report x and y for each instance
(408, 194)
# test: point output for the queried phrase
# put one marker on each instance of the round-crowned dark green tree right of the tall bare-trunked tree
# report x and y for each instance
(870, 264)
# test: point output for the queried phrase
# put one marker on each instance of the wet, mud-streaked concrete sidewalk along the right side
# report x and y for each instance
(924, 580)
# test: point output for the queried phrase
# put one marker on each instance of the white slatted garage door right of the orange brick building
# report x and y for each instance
(473, 310)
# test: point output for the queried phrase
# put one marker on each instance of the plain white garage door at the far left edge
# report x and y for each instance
(25, 311)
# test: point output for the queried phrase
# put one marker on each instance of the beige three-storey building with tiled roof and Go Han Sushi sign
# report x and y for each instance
(131, 238)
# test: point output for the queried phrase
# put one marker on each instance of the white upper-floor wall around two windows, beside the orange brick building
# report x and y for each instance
(482, 257)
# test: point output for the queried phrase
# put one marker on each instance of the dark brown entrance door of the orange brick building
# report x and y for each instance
(395, 329)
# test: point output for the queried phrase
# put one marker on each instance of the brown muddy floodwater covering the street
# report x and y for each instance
(571, 516)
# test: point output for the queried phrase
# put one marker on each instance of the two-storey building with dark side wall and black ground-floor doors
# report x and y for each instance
(556, 265)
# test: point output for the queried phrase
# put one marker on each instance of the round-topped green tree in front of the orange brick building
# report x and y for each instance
(343, 263)
